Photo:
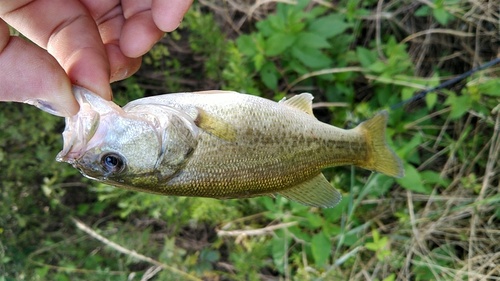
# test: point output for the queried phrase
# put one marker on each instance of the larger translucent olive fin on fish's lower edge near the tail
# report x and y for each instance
(316, 192)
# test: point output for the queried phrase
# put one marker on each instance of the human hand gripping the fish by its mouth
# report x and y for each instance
(89, 43)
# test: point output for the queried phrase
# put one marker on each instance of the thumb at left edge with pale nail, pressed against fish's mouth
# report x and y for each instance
(31, 75)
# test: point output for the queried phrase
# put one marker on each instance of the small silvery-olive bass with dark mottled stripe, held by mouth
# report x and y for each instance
(220, 144)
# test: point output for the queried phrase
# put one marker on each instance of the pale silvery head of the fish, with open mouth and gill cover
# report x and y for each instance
(154, 140)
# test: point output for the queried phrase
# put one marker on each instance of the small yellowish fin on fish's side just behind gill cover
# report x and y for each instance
(215, 126)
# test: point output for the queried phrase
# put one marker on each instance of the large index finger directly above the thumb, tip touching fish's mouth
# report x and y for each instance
(69, 33)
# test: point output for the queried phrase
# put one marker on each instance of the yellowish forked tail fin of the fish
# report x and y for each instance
(383, 159)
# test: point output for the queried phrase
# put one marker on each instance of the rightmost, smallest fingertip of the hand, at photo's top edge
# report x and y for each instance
(168, 14)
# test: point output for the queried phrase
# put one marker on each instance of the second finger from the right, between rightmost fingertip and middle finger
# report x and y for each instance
(139, 32)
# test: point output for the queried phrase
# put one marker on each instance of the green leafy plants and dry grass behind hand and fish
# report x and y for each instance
(440, 222)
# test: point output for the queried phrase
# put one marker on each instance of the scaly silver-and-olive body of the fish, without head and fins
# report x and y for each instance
(267, 137)
